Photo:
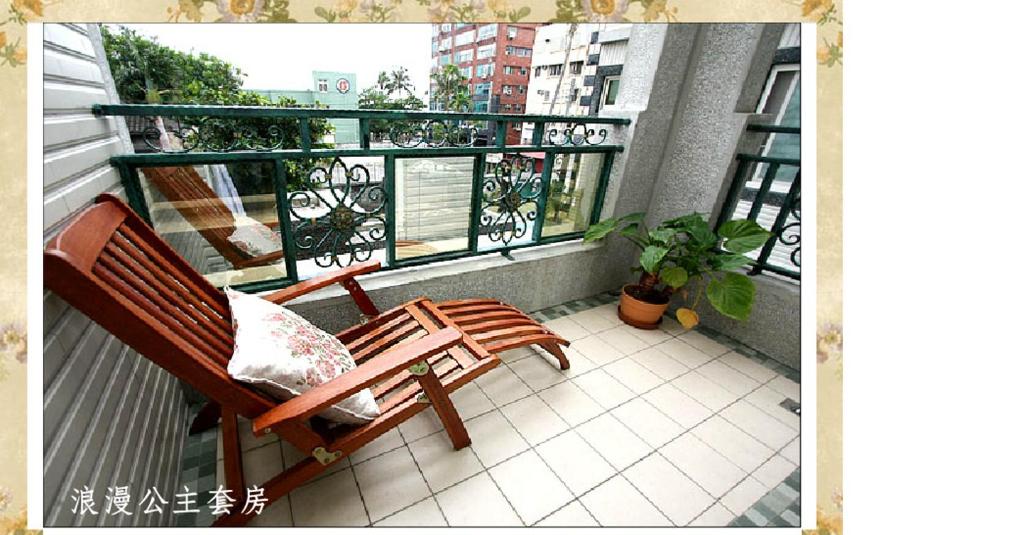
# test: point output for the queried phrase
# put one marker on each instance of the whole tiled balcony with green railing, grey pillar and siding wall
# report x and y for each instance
(655, 427)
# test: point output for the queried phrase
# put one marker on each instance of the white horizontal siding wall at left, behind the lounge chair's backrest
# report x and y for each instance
(110, 417)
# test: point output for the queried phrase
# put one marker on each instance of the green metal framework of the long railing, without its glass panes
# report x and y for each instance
(508, 199)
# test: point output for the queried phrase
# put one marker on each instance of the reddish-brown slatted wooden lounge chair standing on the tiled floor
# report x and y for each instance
(114, 268)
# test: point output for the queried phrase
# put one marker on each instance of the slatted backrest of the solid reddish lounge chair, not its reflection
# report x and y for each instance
(111, 266)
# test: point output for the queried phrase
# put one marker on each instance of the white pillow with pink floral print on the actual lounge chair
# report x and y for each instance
(285, 356)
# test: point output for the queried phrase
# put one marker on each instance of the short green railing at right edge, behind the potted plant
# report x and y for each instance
(766, 189)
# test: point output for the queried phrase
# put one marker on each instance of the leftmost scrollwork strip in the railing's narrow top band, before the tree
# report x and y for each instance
(215, 135)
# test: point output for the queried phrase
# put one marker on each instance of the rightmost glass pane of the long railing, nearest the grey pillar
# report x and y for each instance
(571, 194)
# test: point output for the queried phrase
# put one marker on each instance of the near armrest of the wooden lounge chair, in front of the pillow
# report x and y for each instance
(391, 362)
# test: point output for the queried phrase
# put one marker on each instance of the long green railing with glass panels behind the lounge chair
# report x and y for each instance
(340, 205)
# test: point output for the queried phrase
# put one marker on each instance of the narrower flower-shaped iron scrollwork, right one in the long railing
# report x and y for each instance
(506, 196)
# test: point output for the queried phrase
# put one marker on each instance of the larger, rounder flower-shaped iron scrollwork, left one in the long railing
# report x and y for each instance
(342, 215)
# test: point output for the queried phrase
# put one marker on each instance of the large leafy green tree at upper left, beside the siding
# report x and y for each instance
(147, 72)
